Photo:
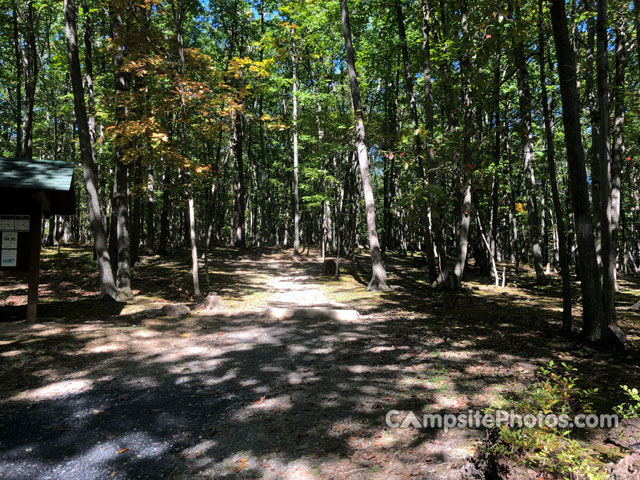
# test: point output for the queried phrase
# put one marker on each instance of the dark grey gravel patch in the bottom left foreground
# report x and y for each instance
(107, 432)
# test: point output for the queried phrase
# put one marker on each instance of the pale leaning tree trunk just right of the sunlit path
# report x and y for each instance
(379, 274)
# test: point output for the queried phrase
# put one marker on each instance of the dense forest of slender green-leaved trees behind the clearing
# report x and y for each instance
(428, 140)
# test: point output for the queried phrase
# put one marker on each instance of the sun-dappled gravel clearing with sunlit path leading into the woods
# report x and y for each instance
(233, 394)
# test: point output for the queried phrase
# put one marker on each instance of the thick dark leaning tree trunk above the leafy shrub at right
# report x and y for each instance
(593, 306)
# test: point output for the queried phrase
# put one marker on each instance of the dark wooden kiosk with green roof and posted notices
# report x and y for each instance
(29, 190)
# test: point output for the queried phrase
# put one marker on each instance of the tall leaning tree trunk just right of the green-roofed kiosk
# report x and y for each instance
(107, 284)
